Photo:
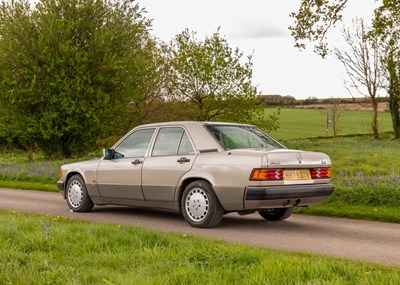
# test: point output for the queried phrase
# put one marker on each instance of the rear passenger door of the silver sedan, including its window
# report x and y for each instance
(172, 155)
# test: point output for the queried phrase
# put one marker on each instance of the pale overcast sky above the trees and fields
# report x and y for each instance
(260, 28)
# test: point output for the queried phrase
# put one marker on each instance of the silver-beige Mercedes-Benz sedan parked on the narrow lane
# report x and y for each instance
(203, 170)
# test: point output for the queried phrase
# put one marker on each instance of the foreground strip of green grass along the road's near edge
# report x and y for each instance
(41, 249)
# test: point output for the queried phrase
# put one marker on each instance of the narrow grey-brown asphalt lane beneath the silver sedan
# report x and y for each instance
(362, 240)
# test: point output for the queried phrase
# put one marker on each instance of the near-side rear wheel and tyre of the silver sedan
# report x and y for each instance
(200, 206)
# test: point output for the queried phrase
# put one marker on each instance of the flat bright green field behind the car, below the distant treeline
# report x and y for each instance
(309, 123)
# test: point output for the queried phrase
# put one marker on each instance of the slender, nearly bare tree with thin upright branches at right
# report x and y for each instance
(362, 63)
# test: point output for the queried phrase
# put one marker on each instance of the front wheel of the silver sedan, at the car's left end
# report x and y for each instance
(77, 196)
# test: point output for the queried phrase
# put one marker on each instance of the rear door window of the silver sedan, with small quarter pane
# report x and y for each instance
(172, 141)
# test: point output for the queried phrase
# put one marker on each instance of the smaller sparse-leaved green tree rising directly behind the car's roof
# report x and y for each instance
(208, 81)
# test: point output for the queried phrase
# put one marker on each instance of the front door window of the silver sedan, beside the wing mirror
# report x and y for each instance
(135, 145)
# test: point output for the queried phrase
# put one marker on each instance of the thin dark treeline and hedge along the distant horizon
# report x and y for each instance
(279, 100)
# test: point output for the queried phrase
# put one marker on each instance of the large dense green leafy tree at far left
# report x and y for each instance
(72, 71)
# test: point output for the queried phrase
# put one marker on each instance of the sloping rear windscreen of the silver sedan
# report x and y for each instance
(235, 137)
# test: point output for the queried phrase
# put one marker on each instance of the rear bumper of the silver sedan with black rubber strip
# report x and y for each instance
(286, 196)
